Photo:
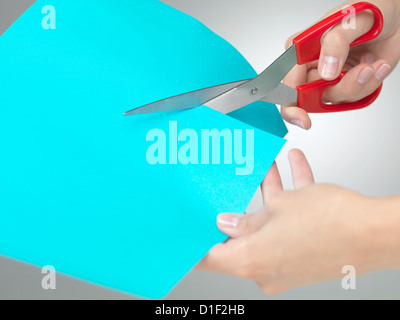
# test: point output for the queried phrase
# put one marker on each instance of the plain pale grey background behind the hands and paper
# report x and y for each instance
(357, 150)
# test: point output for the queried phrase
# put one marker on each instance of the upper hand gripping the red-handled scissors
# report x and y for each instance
(368, 64)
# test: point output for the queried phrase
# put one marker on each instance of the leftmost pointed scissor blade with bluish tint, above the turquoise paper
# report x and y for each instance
(187, 100)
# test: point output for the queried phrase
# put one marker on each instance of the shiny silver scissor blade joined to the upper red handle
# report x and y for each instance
(257, 88)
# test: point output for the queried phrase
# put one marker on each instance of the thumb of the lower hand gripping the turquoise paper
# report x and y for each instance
(237, 225)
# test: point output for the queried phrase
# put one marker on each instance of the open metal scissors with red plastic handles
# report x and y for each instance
(267, 86)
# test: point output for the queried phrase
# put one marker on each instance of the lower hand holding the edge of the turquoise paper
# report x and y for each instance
(301, 237)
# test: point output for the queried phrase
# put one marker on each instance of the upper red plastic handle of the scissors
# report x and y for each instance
(308, 44)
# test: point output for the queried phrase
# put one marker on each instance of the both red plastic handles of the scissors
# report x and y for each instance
(308, 48)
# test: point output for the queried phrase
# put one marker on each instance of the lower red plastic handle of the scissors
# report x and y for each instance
(309, 97)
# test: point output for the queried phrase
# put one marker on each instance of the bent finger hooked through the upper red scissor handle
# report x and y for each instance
(335, 45)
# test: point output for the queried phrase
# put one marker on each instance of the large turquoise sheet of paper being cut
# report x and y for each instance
(76, 190)
